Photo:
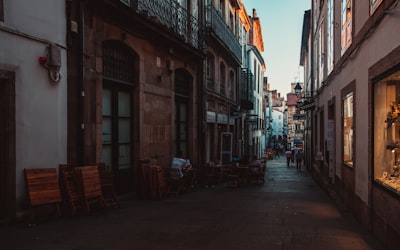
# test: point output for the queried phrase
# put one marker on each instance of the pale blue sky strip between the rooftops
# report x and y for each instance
(281, 24)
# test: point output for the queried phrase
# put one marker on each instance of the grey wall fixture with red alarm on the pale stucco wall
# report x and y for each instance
(52, 62)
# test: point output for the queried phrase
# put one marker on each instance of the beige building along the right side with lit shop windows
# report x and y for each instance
(354, 51)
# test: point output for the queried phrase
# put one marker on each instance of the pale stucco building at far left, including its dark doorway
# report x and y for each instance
(34, 98)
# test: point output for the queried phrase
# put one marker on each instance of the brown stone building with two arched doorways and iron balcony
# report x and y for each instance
(134, 83)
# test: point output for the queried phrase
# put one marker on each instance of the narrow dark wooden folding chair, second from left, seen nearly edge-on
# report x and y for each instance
(69, 189)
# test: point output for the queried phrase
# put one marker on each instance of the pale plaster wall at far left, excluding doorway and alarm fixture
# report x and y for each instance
(41, 106)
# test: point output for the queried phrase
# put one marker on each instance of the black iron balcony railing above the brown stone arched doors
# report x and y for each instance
(170, 14)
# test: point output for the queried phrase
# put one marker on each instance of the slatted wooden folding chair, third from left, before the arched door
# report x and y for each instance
(88, 180)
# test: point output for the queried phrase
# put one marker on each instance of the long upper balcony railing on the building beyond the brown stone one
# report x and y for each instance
(216, 24)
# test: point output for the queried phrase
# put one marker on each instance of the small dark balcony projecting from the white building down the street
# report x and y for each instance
(246, 90)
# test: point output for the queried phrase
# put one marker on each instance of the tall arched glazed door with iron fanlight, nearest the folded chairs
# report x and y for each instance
(119, 74)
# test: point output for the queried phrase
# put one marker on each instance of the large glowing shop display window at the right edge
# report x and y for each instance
(387, 131)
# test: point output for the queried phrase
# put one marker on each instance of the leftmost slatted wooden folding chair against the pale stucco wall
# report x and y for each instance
(43, 189)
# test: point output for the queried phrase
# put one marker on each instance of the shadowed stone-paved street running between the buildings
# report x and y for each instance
(288, 211)
